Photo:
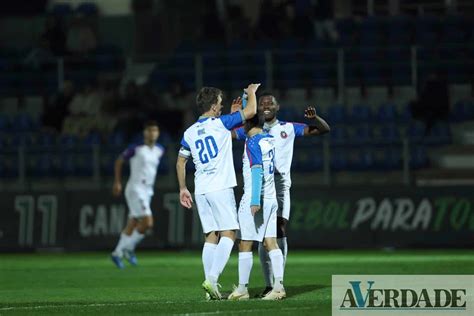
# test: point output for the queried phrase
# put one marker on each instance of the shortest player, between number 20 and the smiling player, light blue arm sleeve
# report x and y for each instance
(258, 210)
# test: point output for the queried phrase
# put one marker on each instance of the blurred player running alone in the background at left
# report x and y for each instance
(144, 161)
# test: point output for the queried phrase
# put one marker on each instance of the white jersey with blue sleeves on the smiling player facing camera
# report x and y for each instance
(284, 134)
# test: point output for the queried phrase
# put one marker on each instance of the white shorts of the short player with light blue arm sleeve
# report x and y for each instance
(262, 225)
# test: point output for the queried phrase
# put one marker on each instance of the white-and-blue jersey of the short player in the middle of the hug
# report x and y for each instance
(259, 151)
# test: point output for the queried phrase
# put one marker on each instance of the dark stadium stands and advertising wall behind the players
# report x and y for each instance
(394, 79)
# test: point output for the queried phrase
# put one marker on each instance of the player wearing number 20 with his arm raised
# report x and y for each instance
(209, 143)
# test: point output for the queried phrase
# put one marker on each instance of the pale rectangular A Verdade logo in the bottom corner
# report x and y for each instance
(402, 294)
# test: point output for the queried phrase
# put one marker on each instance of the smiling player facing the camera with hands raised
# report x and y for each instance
(284, 134)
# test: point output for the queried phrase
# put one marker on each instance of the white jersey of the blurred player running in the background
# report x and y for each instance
(144, 161)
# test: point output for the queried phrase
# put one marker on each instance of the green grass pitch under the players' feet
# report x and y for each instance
(169, 282)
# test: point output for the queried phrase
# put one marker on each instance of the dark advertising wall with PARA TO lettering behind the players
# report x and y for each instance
(348, 217)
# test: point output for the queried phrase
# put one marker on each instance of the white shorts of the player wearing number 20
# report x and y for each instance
(217, 210)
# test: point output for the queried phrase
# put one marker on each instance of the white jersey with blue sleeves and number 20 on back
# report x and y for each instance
(209, 142)
